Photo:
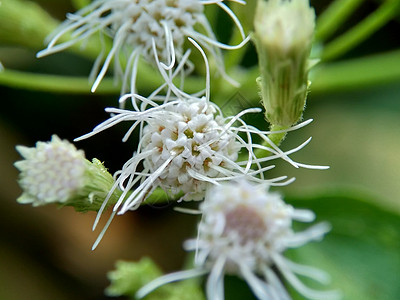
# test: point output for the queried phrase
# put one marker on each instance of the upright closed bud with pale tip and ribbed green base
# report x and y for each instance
(283, 36)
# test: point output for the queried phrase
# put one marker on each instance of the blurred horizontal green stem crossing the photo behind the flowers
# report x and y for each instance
(351, 74)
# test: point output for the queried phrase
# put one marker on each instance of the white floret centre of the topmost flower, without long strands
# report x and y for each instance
(148, 21)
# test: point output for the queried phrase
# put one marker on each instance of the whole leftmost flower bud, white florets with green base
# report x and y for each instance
(56, 172)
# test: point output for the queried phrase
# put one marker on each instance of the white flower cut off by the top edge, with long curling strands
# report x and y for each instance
(133, 25)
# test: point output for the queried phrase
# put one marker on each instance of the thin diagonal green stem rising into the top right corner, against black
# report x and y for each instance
(362, 30)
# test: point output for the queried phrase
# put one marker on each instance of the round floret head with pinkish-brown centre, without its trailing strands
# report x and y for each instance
(244, 223)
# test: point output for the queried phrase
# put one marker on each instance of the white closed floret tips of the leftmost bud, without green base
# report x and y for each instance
(51, 172)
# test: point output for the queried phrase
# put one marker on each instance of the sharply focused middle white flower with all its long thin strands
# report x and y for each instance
(186, 145)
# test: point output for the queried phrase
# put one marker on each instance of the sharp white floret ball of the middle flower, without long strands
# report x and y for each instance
(194, 137)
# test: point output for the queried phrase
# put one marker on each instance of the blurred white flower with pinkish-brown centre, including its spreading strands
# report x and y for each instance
(244, 231)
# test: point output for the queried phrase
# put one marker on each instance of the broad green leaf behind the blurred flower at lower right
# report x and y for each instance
(361, 253)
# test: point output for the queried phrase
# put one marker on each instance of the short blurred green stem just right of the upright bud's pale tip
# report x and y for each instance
(333, 17)
